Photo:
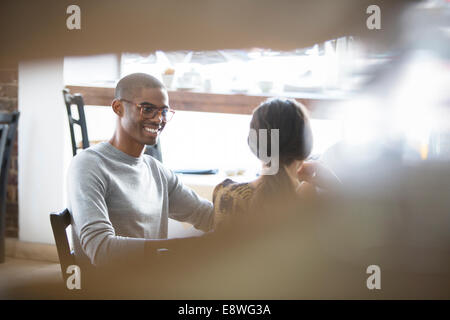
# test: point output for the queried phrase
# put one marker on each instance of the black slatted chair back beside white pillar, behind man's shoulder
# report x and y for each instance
(70, 100)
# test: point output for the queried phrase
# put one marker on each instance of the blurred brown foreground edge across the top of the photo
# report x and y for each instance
(38, 30)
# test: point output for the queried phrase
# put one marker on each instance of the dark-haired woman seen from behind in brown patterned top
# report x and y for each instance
(294, 178)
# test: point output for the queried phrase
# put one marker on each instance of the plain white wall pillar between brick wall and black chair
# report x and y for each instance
(42, 145)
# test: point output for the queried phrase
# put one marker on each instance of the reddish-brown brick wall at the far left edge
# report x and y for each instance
(8, 103)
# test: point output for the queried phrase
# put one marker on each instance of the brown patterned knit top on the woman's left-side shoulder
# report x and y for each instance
(231, 199)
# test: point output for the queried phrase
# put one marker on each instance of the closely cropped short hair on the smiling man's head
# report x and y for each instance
(128, 85)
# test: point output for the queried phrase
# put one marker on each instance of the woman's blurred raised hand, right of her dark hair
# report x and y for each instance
(318, 175)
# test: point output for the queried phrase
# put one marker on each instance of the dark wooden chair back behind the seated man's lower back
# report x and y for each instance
(60, 221)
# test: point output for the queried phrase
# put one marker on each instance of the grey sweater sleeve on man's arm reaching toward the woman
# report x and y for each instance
(185, 205)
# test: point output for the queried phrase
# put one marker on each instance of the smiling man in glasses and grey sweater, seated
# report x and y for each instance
(120, 199)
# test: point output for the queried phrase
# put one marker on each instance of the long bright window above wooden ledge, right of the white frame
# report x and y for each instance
(323, 68)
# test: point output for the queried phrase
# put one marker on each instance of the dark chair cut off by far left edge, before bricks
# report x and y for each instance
(8, 128)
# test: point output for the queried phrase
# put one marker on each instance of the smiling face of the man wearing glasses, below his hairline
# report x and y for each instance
(141, 129)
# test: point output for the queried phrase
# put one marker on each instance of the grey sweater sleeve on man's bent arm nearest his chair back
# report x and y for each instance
(87, 188)
